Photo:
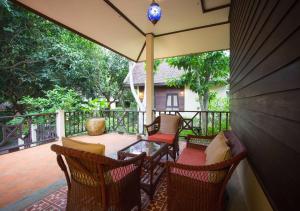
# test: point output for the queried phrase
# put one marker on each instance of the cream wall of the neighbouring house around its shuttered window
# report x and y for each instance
(161, 97)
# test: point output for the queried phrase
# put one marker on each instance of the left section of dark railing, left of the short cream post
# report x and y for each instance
(25, 131)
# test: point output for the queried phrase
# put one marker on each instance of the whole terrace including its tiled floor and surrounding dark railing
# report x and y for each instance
(31, 171)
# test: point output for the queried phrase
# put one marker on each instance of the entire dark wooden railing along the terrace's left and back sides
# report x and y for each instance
(24, 131)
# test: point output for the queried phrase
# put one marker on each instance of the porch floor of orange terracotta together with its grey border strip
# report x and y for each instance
(31, 174)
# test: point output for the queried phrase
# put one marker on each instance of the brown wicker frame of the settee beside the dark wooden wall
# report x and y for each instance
(202, 187)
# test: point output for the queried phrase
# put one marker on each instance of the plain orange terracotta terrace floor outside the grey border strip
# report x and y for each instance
(24, 172)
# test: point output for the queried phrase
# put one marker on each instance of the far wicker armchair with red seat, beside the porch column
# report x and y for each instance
(155, 134)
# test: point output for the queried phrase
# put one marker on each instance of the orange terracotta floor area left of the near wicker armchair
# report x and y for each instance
(24, 172)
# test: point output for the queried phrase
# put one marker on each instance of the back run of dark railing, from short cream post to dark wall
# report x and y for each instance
(132, 122)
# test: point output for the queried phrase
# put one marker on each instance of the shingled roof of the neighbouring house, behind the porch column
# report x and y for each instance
(163, 74)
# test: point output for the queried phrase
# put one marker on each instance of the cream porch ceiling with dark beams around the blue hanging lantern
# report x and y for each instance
(186, 26)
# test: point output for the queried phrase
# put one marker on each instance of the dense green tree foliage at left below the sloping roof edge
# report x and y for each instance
(37, 55)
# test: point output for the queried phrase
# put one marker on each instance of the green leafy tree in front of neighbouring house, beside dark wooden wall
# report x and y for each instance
(201, 73)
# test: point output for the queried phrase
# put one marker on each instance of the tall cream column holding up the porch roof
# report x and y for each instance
(149, 77)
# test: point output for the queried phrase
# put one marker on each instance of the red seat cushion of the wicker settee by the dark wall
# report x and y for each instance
(190, 156)
